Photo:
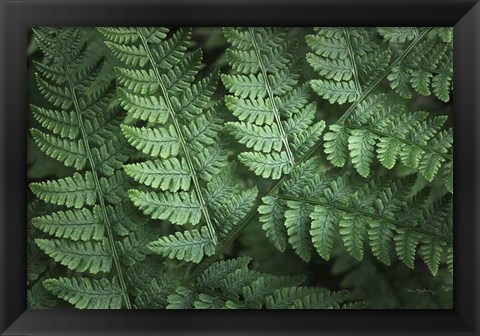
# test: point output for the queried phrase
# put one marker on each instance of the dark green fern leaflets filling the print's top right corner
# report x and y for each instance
(428, 68)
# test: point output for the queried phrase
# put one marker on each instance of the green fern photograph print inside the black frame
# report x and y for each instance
(240, 168)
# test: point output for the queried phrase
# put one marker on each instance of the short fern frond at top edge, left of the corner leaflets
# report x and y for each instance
(348, 60)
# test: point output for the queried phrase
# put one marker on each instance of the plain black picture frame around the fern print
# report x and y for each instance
(17, 15)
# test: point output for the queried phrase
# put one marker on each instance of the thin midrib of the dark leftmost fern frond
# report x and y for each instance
(111, 241)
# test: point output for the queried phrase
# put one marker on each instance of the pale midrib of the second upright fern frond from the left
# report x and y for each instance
(196, 183)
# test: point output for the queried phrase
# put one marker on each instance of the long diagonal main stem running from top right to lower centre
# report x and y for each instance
(253, 212)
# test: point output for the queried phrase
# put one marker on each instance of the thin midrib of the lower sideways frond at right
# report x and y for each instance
(365, 214)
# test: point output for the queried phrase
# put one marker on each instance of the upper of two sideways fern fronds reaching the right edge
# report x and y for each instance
(379, 128)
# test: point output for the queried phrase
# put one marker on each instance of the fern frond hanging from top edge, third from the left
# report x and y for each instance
(275, 120)
